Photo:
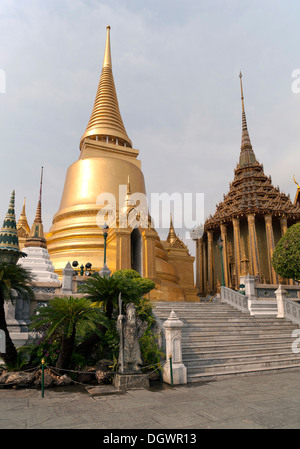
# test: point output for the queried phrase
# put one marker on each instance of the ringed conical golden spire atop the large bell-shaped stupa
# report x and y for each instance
(106, 123)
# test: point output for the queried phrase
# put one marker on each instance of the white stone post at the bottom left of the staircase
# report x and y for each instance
(173, 327)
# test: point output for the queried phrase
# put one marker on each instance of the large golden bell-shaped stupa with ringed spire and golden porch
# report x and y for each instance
(107, 160)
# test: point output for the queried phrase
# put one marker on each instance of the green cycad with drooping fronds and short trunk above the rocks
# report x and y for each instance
(68, 317)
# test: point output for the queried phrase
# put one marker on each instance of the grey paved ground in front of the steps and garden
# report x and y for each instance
(265, 401)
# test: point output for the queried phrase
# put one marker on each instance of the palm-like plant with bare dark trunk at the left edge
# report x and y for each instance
(13, 278)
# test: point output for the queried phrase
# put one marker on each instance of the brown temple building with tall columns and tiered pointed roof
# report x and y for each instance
(246, 225)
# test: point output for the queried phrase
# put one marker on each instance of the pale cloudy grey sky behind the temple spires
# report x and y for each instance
(175, 65)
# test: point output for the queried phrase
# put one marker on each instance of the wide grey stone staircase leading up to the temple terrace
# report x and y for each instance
(219, 341)
